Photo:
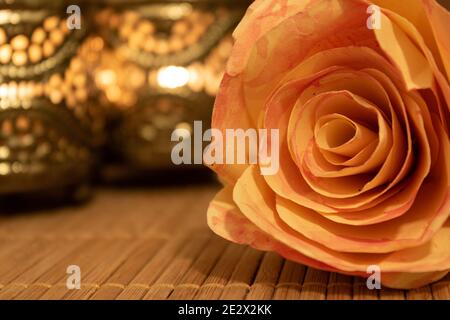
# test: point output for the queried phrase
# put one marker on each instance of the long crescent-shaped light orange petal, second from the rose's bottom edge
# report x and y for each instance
(256, 201)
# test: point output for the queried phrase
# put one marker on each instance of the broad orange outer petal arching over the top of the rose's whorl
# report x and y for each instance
(256, 57)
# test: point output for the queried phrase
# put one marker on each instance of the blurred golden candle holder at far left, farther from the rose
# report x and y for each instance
(49, 122)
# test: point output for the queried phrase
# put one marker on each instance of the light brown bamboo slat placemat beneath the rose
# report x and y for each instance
(155, 244)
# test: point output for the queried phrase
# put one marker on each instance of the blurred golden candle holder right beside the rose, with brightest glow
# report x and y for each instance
(160, 70)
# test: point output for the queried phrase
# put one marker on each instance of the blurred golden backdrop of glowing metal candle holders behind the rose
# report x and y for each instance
(101, 101)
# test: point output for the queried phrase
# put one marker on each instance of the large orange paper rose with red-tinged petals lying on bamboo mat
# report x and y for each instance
(363, 119)
